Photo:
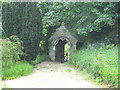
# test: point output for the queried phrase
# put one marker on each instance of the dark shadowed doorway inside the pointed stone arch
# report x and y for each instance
(59, 51)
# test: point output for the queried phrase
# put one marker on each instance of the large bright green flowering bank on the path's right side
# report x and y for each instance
(101, 63)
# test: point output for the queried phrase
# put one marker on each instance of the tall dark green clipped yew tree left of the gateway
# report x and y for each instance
(23, 19)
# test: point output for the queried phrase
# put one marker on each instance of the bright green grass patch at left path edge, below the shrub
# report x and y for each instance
(17, 70)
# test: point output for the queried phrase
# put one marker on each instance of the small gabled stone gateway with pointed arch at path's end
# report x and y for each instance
(58, 41)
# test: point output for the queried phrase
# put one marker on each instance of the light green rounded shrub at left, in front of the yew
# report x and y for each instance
(11, 51)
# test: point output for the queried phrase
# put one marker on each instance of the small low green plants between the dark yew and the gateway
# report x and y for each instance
(39, 59)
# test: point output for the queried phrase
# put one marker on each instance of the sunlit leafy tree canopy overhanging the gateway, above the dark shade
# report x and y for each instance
(81, 17)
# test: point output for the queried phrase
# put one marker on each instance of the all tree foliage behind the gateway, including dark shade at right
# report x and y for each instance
(95, 20)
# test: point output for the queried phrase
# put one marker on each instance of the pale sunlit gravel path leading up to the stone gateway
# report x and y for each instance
(52, 75)
